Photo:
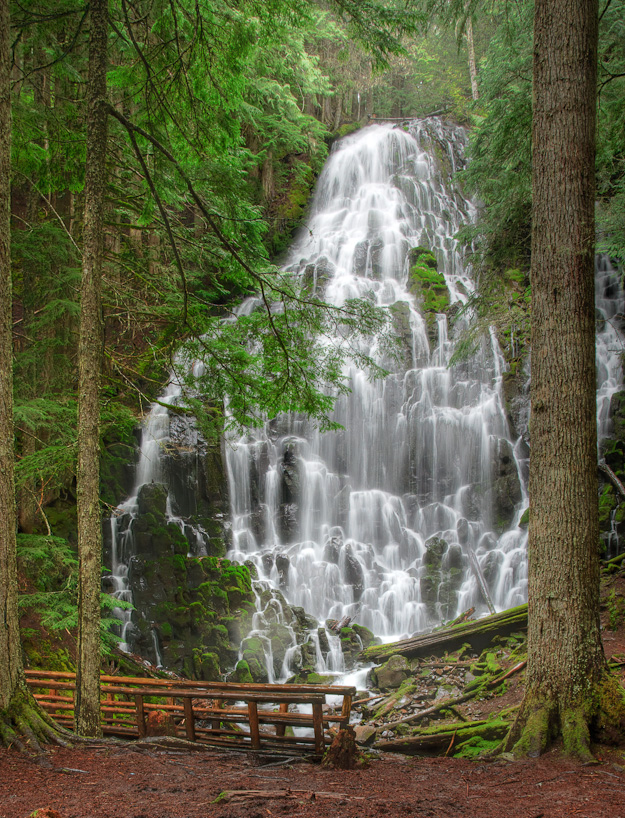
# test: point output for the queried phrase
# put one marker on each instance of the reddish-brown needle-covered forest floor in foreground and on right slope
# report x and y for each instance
(128, 781)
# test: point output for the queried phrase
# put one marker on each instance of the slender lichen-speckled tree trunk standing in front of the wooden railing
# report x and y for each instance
(89, 374)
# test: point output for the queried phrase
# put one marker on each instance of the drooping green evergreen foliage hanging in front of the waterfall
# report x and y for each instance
(269, 362)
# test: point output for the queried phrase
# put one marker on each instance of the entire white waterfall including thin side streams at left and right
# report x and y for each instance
(410, 513)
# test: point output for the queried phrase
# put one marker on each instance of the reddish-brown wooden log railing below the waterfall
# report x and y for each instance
(241, 716)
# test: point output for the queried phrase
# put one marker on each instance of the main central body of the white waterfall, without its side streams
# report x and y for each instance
(377, 521)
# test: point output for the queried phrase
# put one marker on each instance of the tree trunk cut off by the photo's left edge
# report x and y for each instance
(11, 671)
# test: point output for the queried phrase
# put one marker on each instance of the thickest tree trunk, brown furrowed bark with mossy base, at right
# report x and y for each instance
(566, 670)
